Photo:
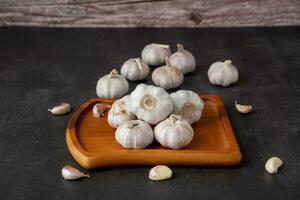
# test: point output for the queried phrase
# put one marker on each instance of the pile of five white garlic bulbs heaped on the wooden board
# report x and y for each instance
(170, 115)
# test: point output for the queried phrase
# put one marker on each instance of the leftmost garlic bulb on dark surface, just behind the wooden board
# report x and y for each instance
(112, 85)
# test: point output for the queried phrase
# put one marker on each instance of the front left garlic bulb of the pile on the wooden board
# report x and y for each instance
(134, 134)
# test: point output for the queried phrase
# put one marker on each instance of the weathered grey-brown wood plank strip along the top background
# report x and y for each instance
(147, 13)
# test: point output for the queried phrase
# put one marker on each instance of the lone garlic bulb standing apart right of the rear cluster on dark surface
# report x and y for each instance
(223, 73)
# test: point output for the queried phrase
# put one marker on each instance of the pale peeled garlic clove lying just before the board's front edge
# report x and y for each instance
(160, 172)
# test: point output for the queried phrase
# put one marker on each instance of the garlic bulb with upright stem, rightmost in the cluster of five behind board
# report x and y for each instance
(183, 60)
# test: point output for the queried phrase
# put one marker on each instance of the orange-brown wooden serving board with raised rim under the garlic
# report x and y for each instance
(91, 141)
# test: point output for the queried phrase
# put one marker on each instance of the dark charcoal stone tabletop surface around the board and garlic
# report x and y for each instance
(42, 67)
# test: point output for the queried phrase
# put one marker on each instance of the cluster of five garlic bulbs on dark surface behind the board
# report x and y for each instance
(169, 74)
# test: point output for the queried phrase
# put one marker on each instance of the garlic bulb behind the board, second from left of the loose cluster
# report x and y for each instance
(135, 69)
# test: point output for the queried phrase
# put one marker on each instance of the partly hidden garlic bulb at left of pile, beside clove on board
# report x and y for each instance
(119, 112)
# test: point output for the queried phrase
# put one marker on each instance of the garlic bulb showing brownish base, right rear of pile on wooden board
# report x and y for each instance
(188, 104)
